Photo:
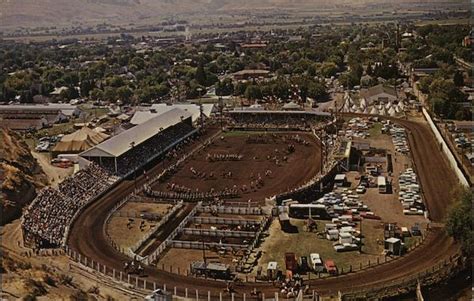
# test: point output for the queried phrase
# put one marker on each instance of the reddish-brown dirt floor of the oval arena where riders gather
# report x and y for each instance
(302, 165)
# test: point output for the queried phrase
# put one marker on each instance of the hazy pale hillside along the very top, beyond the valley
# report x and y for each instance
(66, 12)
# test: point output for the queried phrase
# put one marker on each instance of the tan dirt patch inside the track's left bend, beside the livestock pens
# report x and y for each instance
(127, 236)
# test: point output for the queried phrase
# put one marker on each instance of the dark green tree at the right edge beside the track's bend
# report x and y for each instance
(460, 220)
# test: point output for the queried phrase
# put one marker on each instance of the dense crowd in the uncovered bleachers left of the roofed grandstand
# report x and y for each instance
(46, 219)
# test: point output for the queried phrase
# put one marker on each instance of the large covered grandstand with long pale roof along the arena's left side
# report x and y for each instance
(123, 153)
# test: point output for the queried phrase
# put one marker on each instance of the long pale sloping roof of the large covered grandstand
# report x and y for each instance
(120, 144)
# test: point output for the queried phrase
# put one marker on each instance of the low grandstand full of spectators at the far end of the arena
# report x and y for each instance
(274, 120)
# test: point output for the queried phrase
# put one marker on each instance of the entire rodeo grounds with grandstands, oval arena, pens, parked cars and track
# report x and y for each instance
(254, 205)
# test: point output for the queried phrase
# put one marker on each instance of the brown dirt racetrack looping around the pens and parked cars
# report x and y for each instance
(437, 179)
